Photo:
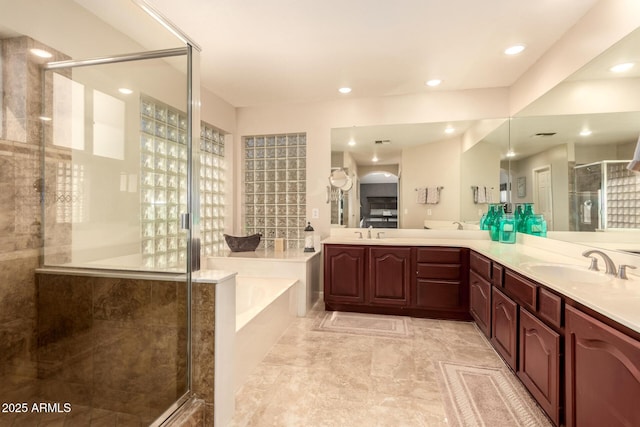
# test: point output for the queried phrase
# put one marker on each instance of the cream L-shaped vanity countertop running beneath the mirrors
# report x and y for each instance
(617, 299)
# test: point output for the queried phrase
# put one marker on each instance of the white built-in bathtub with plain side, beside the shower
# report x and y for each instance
(265, 307)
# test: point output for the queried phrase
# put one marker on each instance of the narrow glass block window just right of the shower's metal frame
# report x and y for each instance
(212, 183)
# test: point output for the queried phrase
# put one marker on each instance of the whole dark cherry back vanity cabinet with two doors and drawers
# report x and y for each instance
(402, 280)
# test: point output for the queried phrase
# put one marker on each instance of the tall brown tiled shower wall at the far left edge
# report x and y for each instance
(20, 212)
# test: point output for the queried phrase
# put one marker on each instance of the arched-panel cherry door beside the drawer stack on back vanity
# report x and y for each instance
(389, 275)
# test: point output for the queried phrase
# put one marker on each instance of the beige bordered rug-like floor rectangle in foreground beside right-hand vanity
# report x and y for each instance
(481, 396)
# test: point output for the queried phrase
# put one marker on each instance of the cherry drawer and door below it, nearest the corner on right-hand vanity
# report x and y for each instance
(480, 291)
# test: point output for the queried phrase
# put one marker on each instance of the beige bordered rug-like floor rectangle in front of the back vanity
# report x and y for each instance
(364, 324)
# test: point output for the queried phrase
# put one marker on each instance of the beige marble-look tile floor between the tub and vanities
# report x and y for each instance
(323, 373)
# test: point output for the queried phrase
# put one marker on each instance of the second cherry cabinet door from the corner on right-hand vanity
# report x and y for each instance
(504, 332)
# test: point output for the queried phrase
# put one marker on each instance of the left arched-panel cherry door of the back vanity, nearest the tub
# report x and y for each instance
(344, 268)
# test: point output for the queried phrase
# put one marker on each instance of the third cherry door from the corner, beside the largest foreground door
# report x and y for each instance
(539, 363)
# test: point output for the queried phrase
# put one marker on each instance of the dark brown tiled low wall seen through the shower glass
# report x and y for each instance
(112, 344)
